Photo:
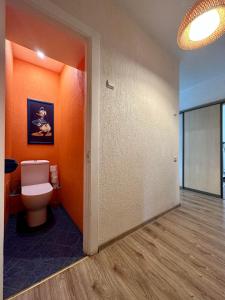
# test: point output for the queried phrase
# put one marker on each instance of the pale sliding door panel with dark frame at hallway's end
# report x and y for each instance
(201, 151)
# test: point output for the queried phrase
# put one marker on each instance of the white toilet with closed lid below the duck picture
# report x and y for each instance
(36, 190)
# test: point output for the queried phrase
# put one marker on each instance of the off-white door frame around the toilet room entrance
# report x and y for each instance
(92, 117)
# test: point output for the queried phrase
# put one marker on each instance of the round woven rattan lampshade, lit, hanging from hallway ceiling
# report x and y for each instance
(202, 9)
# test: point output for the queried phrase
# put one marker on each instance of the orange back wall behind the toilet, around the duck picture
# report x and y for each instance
(30, 81)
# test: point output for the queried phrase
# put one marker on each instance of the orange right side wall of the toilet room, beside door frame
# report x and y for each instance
(71, 150)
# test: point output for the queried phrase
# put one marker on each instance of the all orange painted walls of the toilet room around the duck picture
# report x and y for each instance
(66, 91)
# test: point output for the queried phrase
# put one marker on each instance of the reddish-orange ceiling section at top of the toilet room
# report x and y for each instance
(32, 30)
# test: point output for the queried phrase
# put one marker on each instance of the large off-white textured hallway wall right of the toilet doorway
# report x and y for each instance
(139, 133)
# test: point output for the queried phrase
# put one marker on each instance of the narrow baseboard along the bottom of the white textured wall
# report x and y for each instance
(128, 232)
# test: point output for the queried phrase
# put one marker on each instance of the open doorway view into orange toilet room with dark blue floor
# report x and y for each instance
(43, 97)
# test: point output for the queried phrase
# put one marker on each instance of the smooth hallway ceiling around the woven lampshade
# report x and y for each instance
(161, 19)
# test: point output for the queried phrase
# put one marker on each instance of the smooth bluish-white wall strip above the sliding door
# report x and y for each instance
(205, 92)
